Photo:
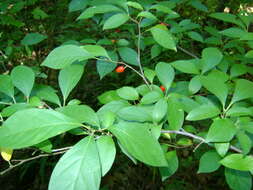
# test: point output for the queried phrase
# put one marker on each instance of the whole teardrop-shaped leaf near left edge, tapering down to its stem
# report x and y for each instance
(23, 78)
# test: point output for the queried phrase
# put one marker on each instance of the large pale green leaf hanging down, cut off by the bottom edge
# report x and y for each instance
(79, 168)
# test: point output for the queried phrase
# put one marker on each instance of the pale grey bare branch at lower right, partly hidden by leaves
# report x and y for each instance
(184, 133)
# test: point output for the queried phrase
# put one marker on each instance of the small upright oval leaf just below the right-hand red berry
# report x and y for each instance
(160, 110)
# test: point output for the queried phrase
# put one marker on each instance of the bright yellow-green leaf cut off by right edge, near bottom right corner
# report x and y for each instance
(238, 162)
